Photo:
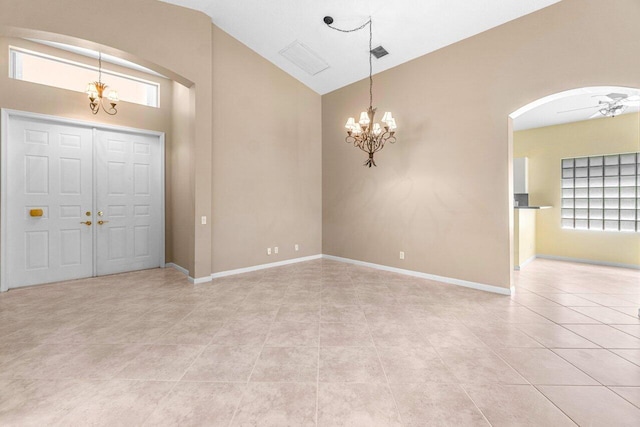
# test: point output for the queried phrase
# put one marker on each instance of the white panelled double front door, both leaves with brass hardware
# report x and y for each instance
(81, 202)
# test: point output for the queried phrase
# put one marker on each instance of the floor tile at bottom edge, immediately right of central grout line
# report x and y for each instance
(370, 405)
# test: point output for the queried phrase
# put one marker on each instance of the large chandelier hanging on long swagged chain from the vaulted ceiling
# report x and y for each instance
(366, 134)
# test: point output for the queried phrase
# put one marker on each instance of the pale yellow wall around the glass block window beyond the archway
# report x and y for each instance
(545, 147)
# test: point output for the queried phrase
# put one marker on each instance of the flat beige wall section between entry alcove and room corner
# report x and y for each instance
(266, 160)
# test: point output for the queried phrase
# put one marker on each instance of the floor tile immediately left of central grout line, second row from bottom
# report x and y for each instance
(286, 364)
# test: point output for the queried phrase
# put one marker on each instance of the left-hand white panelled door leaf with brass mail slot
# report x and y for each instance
(49, 167)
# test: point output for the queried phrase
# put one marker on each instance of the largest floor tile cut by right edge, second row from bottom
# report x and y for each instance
(604, 366)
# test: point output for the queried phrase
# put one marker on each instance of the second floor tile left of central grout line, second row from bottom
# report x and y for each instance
(223, 363)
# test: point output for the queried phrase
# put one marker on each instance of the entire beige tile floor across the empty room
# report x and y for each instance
(323, 343)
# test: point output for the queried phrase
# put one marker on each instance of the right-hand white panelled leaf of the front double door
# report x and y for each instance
(128, 194)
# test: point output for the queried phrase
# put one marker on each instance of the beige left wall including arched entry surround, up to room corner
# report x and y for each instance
(265, 147)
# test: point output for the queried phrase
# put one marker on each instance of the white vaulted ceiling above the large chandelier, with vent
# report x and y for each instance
(406, 28)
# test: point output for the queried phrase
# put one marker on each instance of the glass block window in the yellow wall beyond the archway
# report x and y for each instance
(601, 193)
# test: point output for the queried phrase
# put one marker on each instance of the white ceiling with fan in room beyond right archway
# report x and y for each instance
(556, 109)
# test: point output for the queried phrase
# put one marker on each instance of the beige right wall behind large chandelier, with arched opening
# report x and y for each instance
(442, 193)
